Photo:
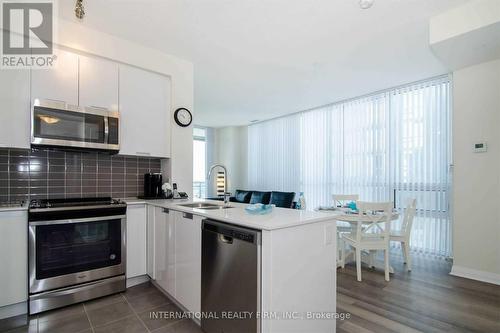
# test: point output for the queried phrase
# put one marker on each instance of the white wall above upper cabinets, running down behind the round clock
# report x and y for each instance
(78, 37)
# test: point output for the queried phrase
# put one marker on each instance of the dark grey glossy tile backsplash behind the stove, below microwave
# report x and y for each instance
(33, 174)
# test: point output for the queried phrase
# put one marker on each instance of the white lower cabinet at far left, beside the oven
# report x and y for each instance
(13, 257)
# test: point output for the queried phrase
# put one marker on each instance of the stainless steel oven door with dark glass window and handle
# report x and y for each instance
(69, 252)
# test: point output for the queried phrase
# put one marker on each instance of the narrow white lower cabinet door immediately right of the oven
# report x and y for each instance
(136, 240)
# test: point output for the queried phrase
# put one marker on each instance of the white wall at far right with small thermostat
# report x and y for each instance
(476, 192)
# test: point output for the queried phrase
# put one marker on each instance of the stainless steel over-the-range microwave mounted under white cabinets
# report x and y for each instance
(59, 124)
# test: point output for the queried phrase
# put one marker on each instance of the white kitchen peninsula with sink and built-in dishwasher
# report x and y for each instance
(295, 271)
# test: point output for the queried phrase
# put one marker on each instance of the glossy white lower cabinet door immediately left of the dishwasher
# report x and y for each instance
(188, 260)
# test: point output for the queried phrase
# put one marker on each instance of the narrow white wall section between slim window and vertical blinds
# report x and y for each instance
(230, 149)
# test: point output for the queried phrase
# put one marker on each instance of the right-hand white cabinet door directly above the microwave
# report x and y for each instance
(98, 83)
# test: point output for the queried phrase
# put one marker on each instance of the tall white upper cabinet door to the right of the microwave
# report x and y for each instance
(145, 113)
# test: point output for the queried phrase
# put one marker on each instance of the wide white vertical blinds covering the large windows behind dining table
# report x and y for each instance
(393, 145)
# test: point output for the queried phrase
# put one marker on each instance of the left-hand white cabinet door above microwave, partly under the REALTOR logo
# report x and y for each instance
(59, 83)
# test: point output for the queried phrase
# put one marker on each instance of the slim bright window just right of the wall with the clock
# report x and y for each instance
(199, 162)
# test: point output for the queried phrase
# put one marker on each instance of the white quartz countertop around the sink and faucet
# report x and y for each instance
(279, 218)
